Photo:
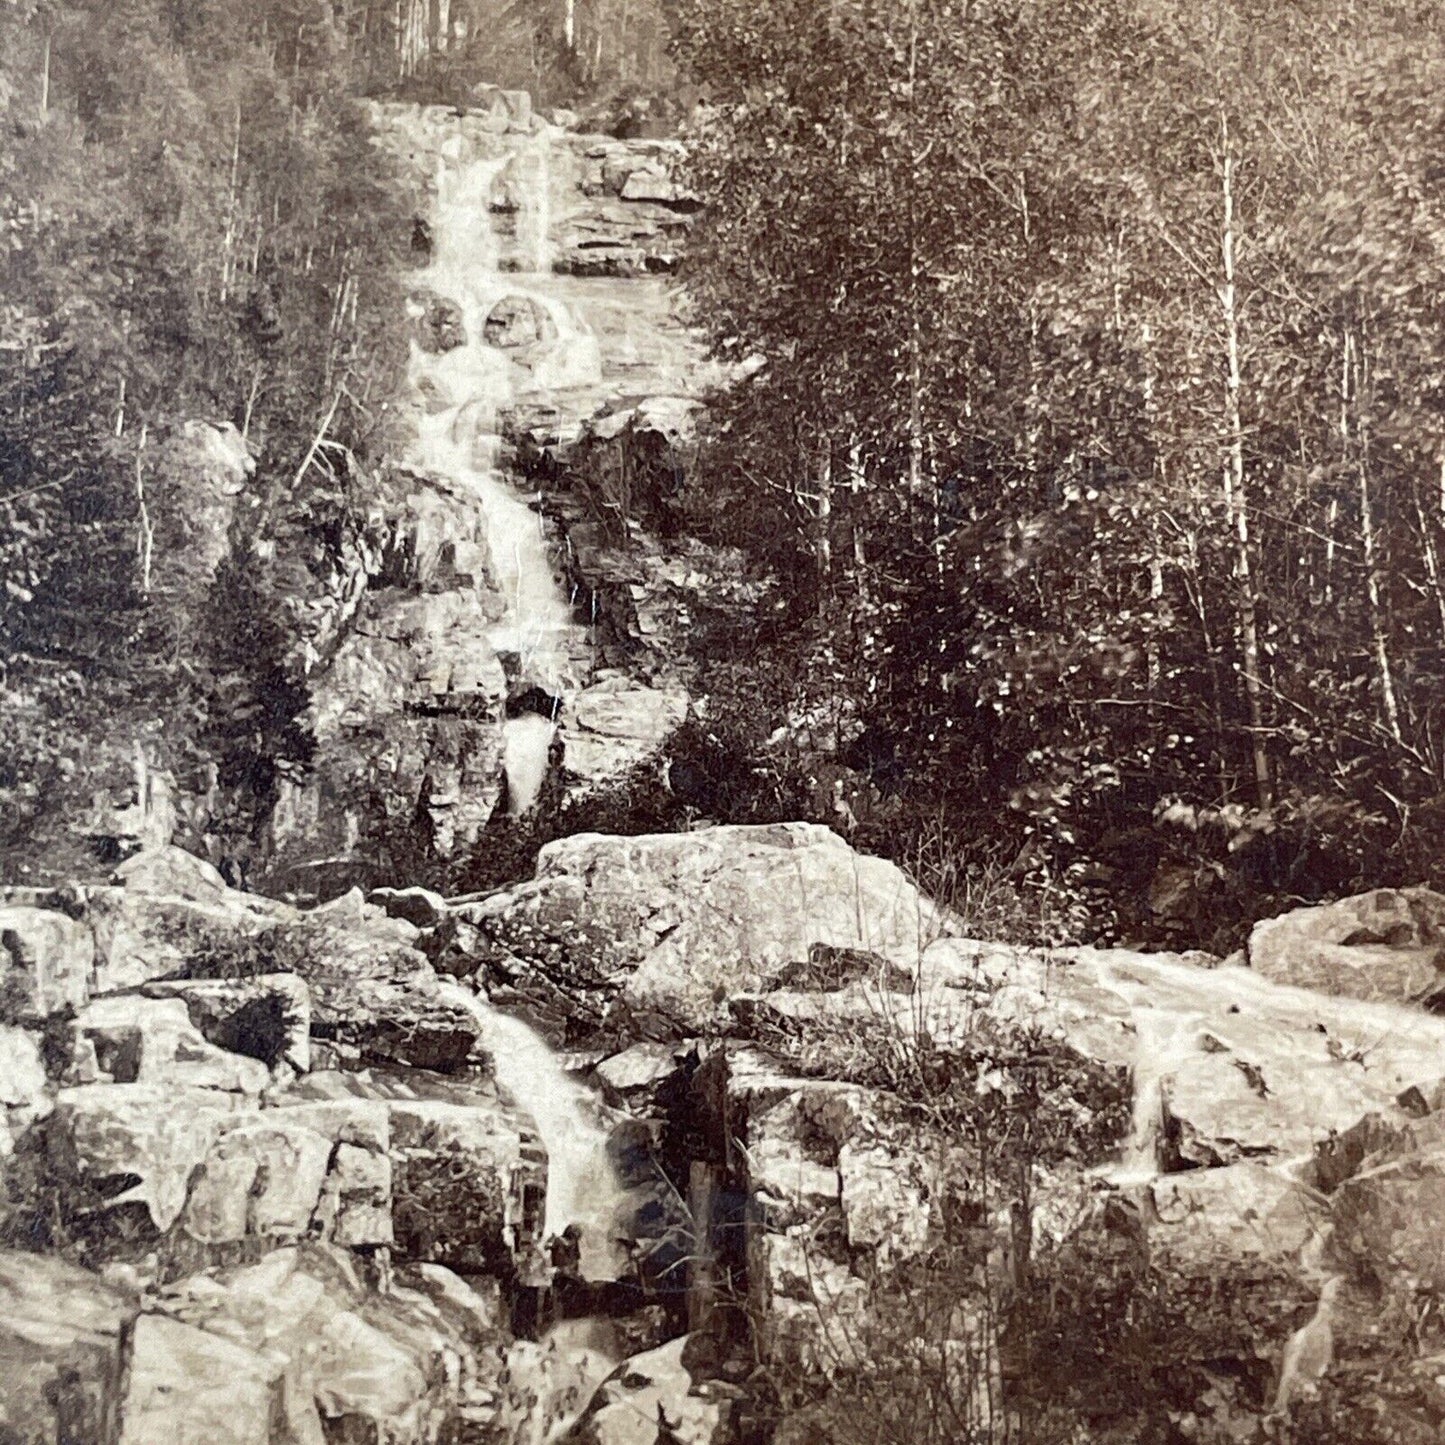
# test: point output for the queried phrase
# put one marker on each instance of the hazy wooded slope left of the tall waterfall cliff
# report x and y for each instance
(193, 226)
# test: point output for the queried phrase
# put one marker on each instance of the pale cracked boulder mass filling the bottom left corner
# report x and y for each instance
(296, 1349)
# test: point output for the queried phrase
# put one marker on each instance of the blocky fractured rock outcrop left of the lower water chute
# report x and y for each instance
(171, 1092)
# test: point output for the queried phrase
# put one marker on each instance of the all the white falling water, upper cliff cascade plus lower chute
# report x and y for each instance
(469, 389)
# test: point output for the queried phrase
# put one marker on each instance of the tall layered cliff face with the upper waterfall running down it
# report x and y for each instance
(473, 647)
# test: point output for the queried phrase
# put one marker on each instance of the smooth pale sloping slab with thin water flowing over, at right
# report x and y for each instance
(1229, 1067)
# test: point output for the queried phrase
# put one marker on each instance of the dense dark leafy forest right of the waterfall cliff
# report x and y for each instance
(1102, 424)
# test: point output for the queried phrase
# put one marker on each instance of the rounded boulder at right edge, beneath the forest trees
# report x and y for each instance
(1388, 944)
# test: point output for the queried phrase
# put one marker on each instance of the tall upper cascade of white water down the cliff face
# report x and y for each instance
(473, 385)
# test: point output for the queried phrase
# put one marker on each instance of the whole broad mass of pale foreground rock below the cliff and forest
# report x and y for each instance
(333, 1225)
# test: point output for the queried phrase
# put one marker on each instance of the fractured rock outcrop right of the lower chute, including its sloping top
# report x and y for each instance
(1213, 1112)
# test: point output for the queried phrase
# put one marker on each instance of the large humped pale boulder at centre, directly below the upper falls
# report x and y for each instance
(663, 930)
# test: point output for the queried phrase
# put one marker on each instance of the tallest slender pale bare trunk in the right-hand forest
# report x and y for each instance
(1236, 482)
